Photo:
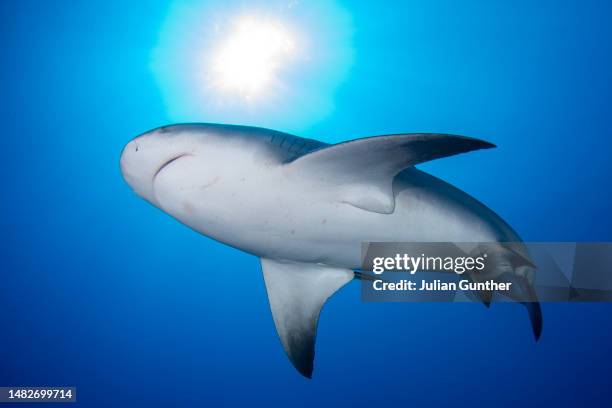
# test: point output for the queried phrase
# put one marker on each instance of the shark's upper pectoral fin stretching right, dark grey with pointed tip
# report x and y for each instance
(361, 171)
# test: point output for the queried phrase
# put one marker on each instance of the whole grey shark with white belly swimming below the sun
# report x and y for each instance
(304, 208)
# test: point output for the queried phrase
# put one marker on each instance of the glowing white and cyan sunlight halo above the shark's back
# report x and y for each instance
(270, 64)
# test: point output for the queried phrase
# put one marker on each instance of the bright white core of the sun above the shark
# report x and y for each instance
(250, 58)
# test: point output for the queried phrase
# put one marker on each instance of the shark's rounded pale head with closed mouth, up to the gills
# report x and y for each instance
(193, 171)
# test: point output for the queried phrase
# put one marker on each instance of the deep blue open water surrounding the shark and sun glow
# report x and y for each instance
(101, 291)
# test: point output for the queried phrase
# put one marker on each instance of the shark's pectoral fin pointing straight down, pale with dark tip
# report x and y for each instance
(297, 292)
